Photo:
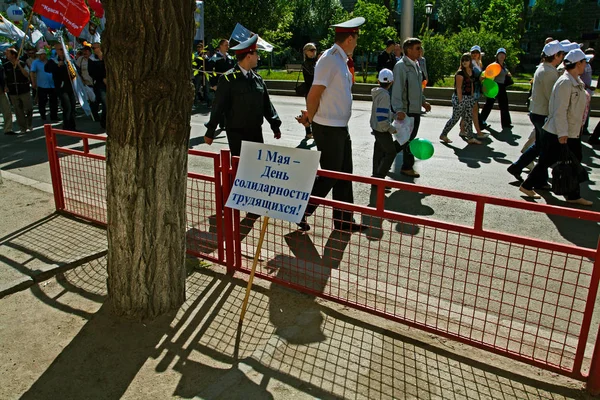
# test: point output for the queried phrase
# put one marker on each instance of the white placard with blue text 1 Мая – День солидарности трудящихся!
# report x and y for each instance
(274, 181)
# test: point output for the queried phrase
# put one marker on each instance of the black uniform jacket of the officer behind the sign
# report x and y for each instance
(244, 101)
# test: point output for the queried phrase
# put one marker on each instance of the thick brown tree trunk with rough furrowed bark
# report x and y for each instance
(147, 50)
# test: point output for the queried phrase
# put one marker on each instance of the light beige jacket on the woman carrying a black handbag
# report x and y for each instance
(567, 106)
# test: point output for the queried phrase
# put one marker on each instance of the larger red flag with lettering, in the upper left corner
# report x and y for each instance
(73, 14)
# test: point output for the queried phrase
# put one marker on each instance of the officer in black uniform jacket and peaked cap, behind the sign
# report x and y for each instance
(242, 98)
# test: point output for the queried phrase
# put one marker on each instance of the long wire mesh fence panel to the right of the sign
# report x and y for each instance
(521, 301)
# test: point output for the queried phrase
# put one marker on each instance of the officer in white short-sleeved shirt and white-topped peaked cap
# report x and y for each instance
(329, 105)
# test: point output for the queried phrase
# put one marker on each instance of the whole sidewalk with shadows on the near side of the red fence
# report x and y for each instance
(58, 340)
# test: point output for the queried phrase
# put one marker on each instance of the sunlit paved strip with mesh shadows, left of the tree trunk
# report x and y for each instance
(36, 243)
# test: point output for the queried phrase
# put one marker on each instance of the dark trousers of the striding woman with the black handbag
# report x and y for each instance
(549, 155)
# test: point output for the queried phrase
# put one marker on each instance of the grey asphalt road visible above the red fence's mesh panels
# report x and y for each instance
(466, 168)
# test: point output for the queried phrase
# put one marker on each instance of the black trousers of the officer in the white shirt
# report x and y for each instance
(336, 155)
